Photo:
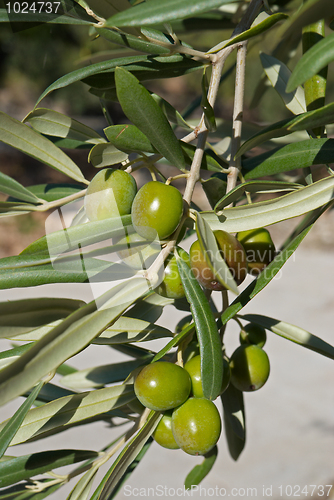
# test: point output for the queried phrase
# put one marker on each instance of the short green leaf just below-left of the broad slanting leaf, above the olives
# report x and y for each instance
(129, 138)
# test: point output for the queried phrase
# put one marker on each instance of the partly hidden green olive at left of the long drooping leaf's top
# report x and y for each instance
(171, 285)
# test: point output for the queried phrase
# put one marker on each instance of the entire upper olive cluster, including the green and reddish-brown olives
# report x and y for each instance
(156, 211)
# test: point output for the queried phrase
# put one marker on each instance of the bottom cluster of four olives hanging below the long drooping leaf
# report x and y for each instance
(190, 421)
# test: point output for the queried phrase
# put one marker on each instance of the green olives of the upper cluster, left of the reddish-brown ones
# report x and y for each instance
(156, 211)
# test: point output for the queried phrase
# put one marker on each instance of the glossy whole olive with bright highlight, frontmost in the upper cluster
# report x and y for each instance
(156, 210)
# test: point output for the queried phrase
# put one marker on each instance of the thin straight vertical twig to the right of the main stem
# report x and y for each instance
(235, 163)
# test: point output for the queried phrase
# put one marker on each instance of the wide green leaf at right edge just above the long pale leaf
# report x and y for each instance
(298, 155)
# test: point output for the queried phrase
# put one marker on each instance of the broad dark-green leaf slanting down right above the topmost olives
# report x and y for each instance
(140, 107)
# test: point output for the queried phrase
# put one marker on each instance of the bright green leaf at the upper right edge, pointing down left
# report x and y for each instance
(314, 60)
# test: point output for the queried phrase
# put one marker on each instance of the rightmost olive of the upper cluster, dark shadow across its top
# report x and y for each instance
(259, 248)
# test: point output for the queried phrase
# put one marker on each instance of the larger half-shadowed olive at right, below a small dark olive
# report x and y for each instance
(249, 368)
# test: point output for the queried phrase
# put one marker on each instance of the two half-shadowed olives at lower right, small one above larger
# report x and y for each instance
(249, 363)
